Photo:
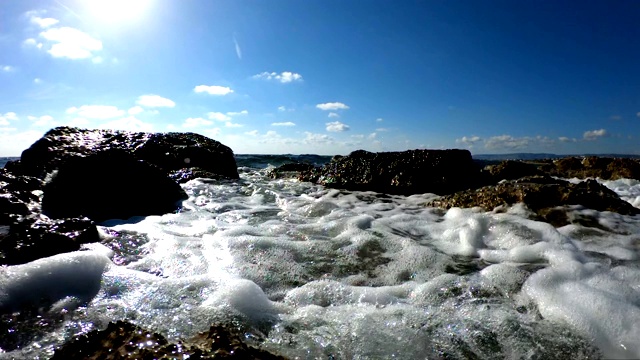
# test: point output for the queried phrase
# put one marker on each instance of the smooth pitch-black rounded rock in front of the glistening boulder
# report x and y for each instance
(110, 184)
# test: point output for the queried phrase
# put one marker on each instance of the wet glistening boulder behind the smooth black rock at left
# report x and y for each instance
(168, 151)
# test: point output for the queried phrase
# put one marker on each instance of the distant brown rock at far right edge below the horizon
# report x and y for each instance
(595, 167)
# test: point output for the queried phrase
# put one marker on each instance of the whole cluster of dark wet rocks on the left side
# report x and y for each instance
(71, 178)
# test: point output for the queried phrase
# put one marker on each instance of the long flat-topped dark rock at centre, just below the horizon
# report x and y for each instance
(407, 172)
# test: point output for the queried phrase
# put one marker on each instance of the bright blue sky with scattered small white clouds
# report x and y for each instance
(330, 76)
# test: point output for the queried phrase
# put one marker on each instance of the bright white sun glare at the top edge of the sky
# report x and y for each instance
(117, 10)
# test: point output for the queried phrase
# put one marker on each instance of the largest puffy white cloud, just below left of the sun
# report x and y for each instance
(71, 43)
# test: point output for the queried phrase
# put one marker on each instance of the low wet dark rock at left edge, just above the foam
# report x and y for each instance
(36, 236)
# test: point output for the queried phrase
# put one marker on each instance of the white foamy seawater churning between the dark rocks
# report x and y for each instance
(316, 273)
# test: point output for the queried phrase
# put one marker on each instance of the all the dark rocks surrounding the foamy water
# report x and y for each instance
(71, 179)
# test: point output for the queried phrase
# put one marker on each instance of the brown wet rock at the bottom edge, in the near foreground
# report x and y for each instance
(123, 340)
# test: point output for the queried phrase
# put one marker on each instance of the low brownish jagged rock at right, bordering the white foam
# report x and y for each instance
(541, 194)
